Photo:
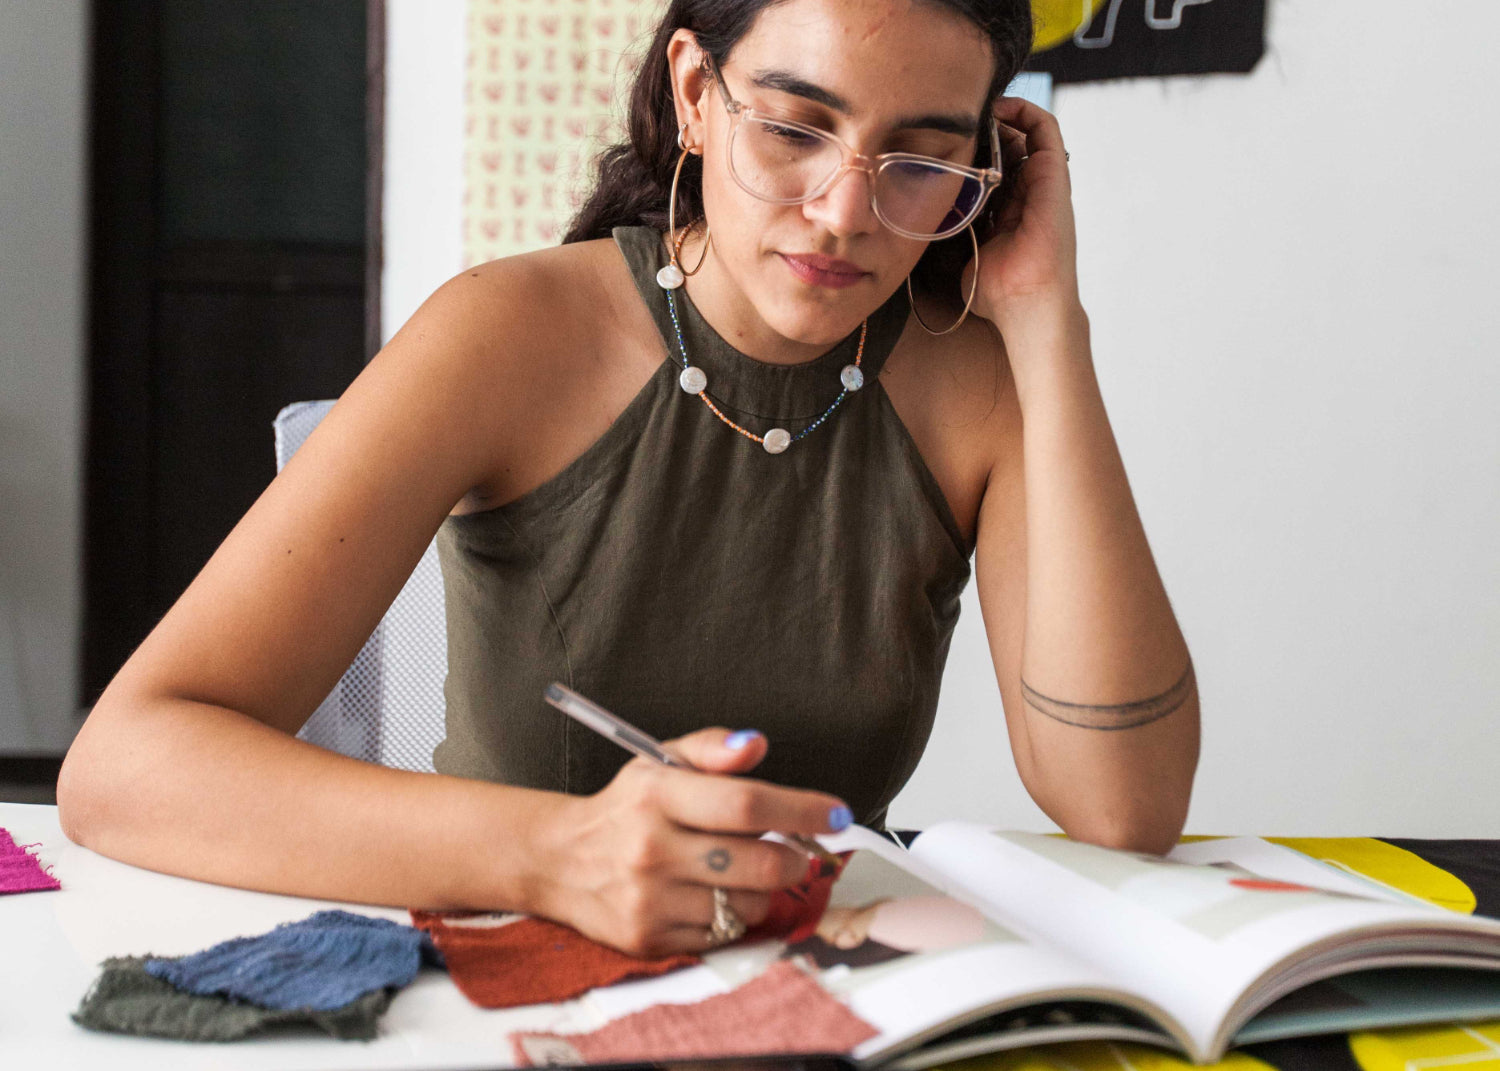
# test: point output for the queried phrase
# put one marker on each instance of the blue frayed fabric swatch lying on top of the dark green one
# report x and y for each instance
(320, 964)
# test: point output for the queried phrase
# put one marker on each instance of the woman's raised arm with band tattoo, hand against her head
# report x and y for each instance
(1097, 682)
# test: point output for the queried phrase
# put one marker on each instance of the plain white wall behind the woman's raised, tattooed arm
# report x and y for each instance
(1291, 280)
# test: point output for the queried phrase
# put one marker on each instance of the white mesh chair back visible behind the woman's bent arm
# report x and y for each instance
(389, 704)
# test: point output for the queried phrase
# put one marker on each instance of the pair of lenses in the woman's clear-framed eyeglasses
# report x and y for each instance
(785, 164)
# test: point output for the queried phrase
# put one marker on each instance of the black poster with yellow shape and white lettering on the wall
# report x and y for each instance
(1081, 41)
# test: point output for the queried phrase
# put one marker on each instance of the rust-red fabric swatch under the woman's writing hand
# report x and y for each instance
(530, 961)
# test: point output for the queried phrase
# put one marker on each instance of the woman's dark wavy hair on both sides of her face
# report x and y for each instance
(632, 179)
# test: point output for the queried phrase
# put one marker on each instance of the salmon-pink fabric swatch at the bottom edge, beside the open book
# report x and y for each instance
(781, 1012)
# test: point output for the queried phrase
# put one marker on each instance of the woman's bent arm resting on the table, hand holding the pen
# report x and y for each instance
(190, 766)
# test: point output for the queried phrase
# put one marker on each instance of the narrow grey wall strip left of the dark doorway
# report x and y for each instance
(43, 232)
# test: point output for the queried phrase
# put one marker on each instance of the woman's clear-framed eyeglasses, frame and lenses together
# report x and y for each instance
(787, 163)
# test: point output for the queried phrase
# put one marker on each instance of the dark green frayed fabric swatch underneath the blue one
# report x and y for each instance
(127, 1000)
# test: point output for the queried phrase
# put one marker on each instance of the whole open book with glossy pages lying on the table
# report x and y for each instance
(977, 941)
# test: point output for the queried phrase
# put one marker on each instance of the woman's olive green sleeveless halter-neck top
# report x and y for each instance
(682, 577)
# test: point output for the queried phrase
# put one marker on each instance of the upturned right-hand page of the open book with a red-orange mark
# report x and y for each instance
(1190, 938)
